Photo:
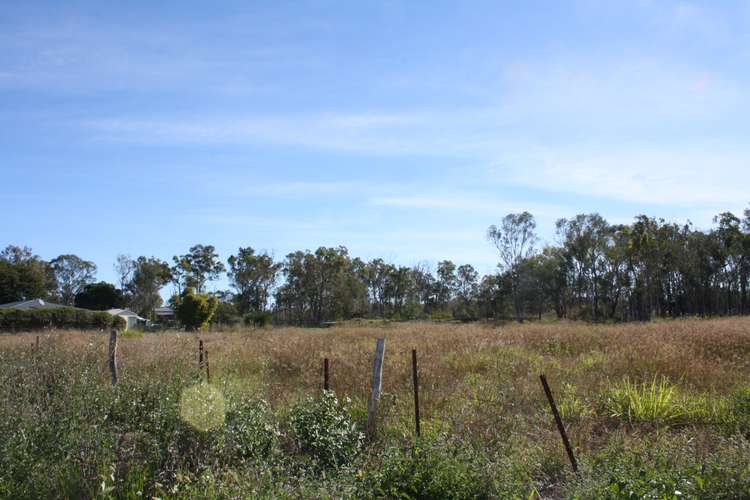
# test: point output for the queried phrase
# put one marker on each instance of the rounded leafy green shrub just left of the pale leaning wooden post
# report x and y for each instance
(323, 428)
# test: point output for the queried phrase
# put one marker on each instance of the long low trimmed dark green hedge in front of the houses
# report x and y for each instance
(13, 320)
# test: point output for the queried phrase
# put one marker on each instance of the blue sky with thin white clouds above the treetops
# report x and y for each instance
(398, 129)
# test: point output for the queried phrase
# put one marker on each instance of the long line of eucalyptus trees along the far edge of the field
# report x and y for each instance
(595, 271)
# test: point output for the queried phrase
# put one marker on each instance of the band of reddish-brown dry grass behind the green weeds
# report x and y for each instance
(466, 370)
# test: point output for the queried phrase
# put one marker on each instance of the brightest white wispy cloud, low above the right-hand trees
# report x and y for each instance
(686, 175)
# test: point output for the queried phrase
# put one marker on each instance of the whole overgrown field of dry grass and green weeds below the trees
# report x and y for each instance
(657, 410)
